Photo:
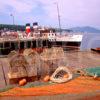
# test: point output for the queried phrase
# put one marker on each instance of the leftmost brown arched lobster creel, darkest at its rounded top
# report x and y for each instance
(18, 65)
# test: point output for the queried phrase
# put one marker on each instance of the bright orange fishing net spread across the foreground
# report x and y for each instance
(75, 86)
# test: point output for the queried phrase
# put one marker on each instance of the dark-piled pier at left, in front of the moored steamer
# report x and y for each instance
(8, 45)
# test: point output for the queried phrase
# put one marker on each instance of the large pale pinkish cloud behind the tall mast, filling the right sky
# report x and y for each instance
(74, 12)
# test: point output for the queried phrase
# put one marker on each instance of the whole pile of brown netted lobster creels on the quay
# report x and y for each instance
(30, 63)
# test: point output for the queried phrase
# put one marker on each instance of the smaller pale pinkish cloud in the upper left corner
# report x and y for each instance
(18, 6)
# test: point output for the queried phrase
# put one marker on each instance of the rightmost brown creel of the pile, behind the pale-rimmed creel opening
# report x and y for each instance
(51, 59)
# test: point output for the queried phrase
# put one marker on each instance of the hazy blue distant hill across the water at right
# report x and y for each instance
(85, 29)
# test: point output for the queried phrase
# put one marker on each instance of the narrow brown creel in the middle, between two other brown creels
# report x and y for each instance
(33, 59)
